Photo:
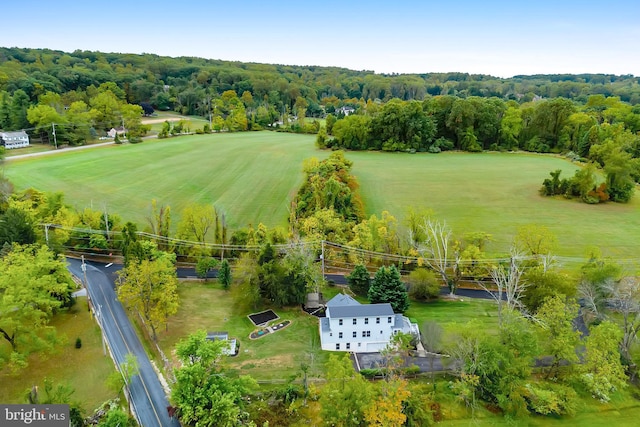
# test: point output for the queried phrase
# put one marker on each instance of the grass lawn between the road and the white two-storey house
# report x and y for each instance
(274, 356)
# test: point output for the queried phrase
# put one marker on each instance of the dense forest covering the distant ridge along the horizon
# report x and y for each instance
(183, 83)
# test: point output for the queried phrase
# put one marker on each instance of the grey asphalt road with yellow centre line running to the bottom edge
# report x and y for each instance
(148, 397)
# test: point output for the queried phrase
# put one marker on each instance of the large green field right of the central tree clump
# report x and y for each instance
(496, 193)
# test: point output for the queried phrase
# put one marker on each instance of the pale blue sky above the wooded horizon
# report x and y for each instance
(501, 38)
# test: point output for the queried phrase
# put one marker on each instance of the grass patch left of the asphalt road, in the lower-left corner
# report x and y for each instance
(85, 369)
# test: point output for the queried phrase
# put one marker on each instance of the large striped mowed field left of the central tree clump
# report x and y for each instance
(250, 176)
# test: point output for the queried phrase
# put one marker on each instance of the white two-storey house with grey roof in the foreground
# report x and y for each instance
(361, 328)
